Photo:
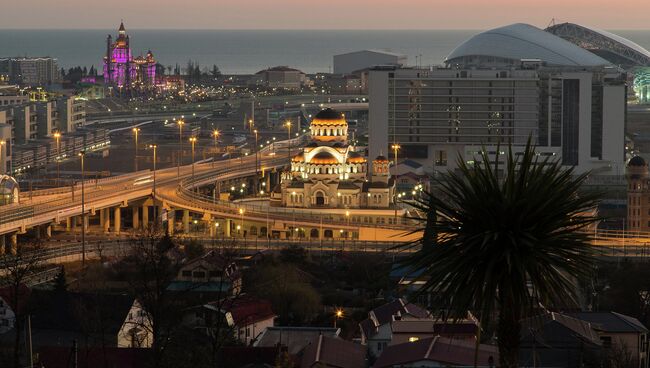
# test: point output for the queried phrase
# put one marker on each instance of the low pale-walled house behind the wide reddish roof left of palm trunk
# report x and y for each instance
(410, 330)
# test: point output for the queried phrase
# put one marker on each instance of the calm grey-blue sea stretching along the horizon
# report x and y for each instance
(245, 51)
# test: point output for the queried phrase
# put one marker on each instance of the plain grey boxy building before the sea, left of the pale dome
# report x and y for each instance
(351, 62)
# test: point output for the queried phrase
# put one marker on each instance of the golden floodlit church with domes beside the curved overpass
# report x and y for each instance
(328, 173)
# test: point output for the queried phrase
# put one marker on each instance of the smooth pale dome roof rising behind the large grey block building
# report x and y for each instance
(523, 41)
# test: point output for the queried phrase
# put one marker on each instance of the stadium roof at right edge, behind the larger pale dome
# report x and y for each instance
(612, 47)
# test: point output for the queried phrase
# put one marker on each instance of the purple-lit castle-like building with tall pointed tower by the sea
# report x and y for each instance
(122, 70)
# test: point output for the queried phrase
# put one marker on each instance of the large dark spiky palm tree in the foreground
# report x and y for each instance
(508, 238)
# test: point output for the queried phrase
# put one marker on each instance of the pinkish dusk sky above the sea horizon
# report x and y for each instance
(327, 14)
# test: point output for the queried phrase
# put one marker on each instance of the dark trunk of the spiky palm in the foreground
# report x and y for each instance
(508, 331)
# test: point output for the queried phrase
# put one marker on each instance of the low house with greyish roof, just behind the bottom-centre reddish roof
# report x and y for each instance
(294, 338)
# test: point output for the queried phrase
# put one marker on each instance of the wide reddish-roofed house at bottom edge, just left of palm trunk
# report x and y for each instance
(436, 352)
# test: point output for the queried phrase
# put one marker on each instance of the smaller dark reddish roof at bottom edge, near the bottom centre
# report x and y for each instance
(333, 352)
